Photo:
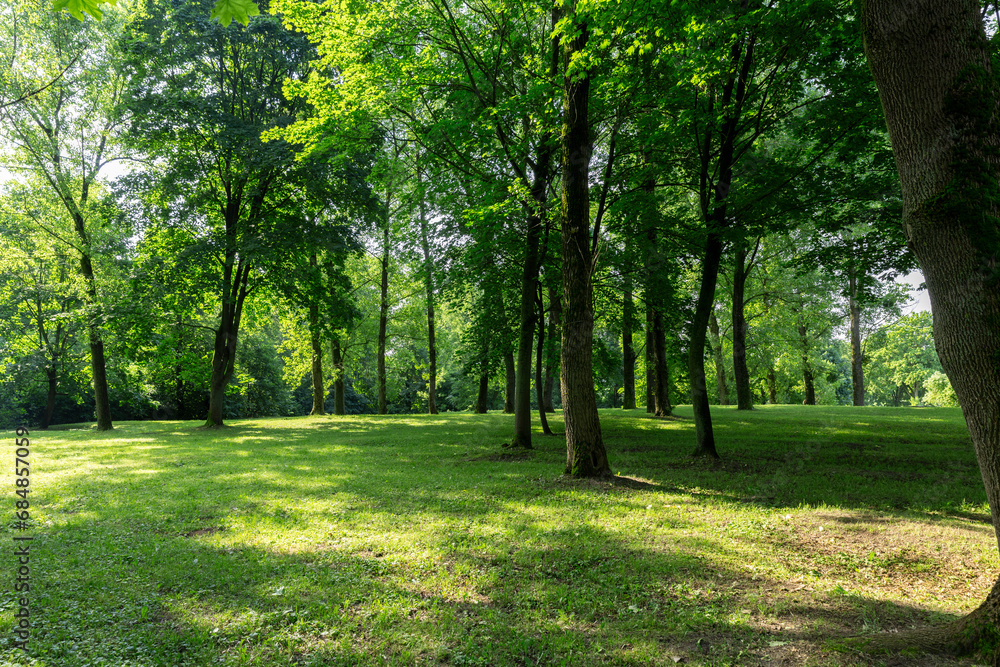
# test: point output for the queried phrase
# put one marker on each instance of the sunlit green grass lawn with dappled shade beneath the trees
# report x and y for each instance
(418, 540)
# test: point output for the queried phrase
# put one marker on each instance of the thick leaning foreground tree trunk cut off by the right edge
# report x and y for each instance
(933, 65)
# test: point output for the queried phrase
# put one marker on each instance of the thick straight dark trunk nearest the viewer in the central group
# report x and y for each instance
(585, 453)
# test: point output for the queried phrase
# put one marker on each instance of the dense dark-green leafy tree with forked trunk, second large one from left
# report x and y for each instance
(207, 123)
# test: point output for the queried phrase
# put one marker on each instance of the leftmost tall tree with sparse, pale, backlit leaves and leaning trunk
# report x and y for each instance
(66, 134)
